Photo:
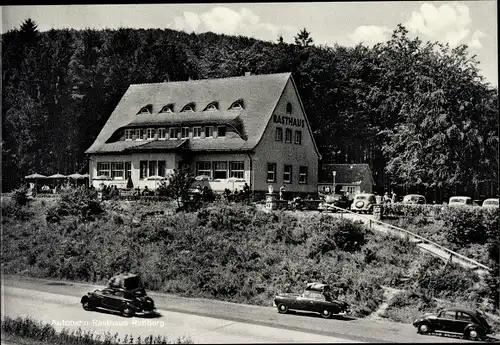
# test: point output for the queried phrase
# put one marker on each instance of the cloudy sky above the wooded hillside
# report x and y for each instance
(346, 23)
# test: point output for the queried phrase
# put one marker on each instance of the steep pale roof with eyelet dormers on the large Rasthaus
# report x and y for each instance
(260, 94)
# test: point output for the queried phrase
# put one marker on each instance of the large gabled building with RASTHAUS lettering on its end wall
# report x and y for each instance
(250, 129)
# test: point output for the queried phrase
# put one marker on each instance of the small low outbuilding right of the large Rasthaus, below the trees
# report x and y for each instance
(351, 178)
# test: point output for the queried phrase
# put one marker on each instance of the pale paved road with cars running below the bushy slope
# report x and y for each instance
(203, 320)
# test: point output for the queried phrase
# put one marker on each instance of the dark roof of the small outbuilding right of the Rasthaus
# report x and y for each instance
(346, 173)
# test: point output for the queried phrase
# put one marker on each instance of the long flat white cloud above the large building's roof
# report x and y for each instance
(223, 20)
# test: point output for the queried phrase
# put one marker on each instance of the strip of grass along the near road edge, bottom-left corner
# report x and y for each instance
(25, 330)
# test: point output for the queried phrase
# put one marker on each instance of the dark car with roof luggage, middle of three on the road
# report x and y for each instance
(317, 298)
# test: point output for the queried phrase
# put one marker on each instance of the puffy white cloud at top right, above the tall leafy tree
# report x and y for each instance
(449, 22)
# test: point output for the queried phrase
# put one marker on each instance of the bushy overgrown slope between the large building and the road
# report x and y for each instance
(227, 252)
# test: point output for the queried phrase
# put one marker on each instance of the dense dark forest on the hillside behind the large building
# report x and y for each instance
(418, 112)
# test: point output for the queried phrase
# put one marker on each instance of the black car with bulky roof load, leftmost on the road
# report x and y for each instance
(124, 294)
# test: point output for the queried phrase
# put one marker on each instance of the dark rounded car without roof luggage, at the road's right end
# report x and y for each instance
(471, 324)
